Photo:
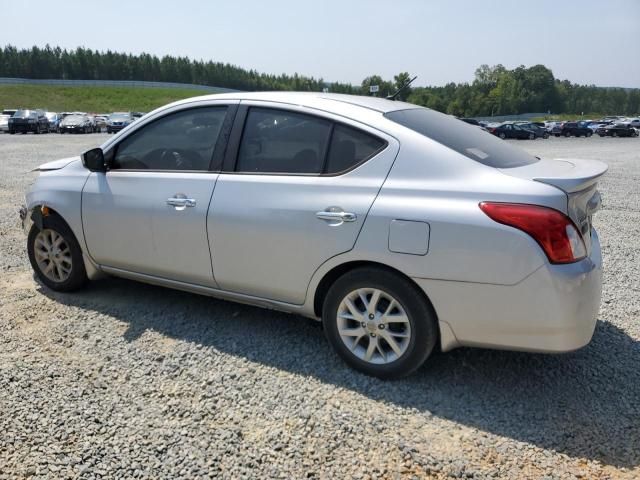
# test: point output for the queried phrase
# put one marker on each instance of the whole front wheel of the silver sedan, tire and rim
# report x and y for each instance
(55, 255)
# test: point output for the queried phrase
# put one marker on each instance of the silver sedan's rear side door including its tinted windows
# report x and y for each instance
(295, 191)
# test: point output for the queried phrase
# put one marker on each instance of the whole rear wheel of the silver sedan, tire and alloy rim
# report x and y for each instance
(379, 322)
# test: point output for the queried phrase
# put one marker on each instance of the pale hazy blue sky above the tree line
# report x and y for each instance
(585, 41)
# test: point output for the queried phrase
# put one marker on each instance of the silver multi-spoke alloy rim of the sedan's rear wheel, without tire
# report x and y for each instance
(373, 325)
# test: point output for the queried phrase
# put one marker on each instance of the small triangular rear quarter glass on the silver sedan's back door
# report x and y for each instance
(349, 147)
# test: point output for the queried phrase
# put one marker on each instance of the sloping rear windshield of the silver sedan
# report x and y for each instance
(469, 140)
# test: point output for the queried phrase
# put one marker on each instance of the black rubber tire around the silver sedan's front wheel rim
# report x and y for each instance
(78, 275)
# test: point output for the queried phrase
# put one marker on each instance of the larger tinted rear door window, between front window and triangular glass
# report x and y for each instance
(277, 141)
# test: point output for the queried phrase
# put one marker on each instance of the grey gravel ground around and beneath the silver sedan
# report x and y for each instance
(130, 380)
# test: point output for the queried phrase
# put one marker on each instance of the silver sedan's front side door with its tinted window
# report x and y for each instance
(148, 213)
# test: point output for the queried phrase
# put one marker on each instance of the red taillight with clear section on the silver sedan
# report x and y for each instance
(553, 230)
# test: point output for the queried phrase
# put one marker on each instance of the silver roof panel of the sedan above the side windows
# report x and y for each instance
(310, 99)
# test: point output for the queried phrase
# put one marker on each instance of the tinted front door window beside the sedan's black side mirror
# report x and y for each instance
(179, 141)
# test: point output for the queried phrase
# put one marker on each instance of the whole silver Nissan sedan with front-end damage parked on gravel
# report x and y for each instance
(399, 227)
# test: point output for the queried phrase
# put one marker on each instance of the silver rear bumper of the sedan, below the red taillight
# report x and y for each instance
(552, 310)
